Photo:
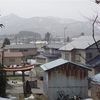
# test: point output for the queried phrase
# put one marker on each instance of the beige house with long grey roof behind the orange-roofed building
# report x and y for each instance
(28, 51)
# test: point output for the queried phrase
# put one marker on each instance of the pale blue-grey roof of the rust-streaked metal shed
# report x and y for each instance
(59, 62)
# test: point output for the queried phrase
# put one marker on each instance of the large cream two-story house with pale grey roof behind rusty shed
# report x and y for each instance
(82, 50)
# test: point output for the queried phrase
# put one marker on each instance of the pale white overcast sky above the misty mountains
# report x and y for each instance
(75, 9)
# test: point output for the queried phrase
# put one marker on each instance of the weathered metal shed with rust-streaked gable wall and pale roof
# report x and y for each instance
(62, 78)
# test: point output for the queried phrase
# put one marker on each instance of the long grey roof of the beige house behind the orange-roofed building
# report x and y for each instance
(20, 46)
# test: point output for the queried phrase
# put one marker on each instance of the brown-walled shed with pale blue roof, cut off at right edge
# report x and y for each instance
(95, 86)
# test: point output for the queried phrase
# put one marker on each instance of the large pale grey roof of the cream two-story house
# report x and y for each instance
(82, 42)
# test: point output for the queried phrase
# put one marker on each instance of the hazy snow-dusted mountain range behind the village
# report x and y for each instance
(14, 24)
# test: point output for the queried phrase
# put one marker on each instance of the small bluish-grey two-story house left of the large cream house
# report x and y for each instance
(51, 52)
